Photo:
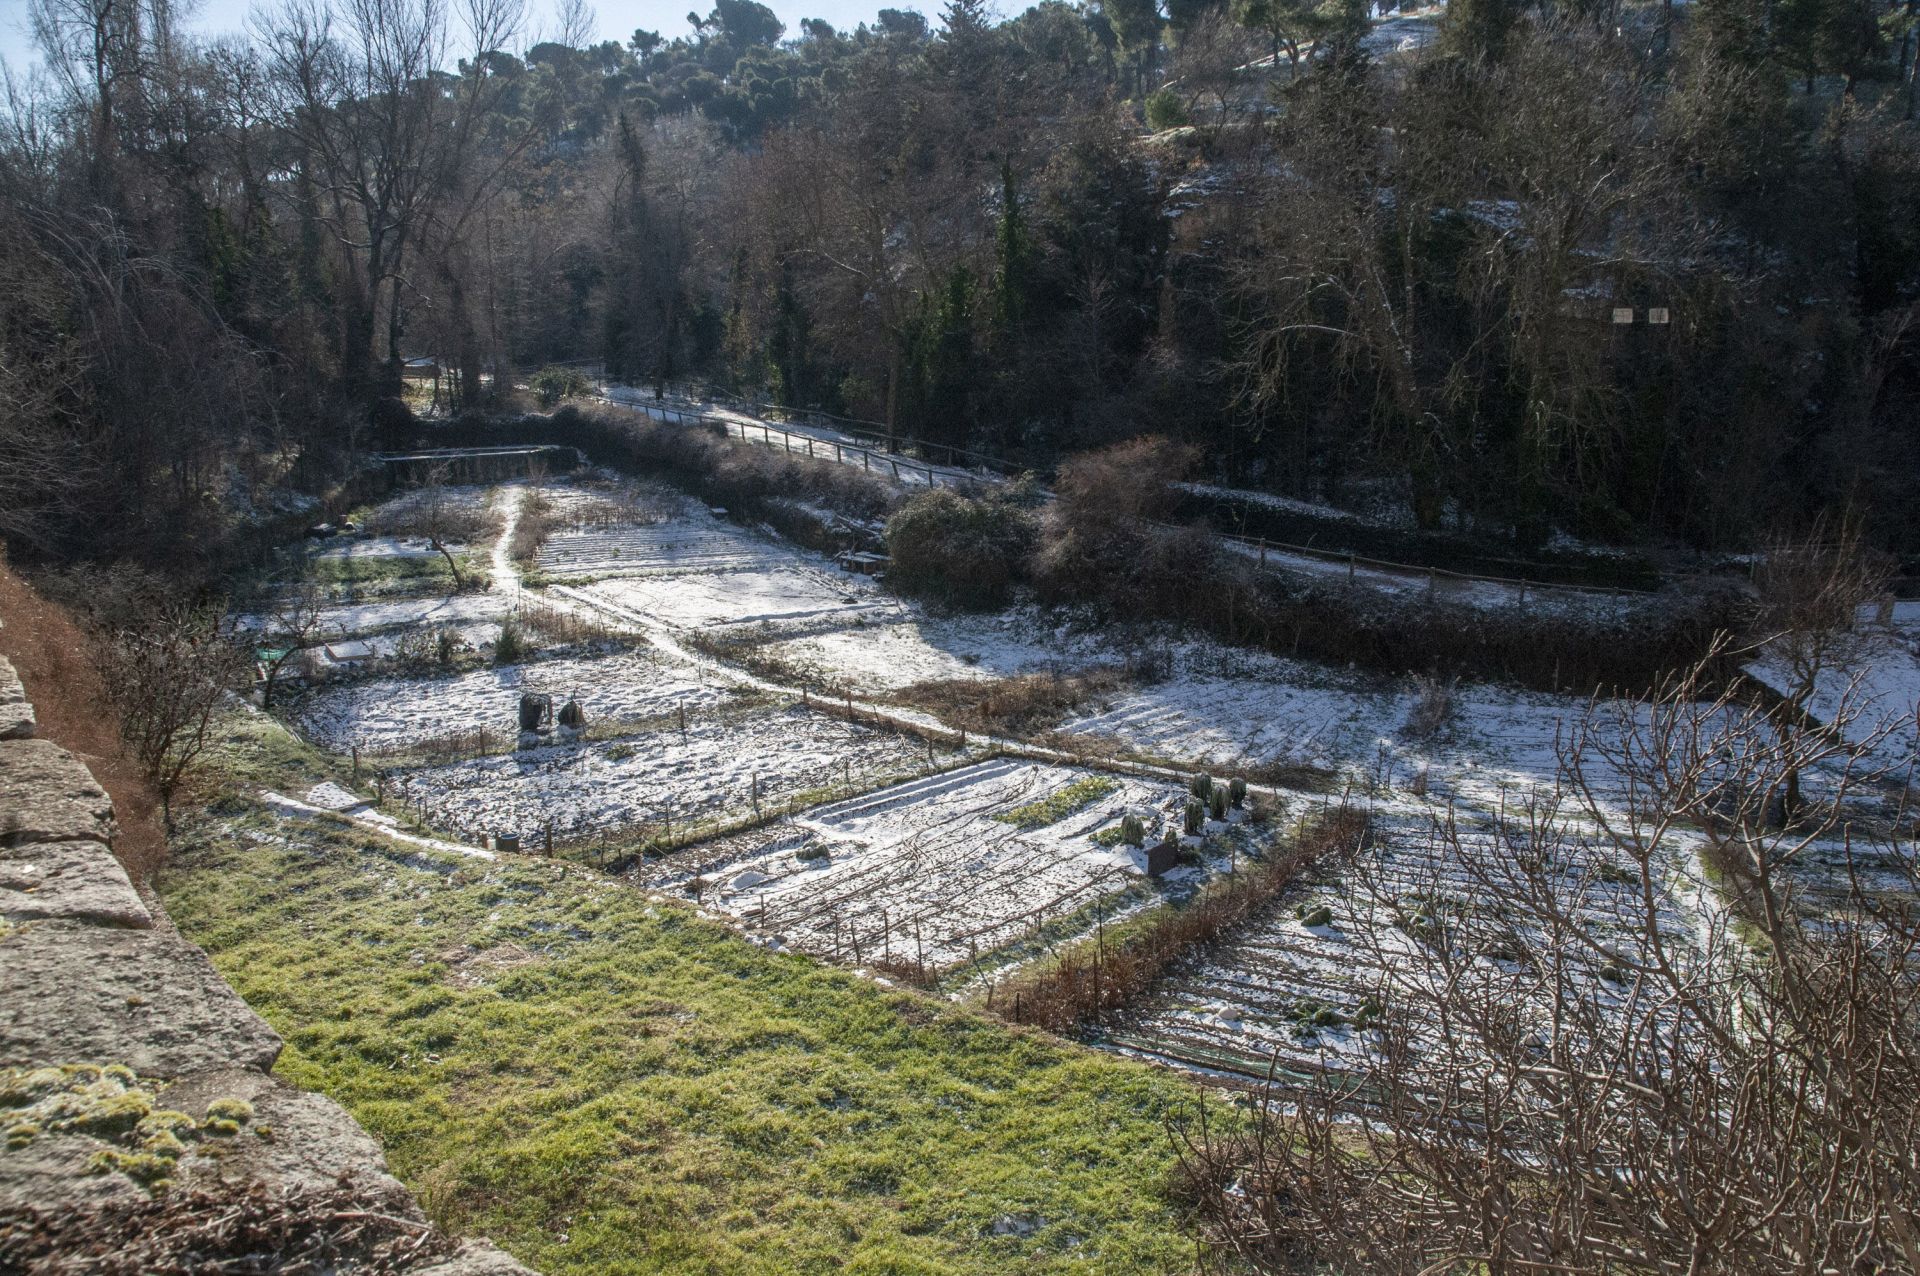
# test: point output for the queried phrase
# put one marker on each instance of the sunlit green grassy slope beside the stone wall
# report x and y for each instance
(650, 1093)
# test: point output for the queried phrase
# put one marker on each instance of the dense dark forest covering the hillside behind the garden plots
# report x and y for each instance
(1347, 270)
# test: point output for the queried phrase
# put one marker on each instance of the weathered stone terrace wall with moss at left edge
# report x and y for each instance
(107, 1004)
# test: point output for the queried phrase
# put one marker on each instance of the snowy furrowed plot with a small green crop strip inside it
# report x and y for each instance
(946, 868)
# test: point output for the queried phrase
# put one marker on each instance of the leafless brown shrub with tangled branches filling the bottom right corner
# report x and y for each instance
(1572, 1075)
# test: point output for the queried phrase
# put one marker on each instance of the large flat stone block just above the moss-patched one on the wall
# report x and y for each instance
(147, 999)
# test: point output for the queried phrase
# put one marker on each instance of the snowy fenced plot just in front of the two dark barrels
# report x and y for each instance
(656, 778)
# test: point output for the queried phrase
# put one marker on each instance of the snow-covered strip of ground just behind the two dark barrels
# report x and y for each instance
(391, 713)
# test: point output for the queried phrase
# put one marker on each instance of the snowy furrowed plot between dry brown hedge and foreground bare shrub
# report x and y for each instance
(1356, 943)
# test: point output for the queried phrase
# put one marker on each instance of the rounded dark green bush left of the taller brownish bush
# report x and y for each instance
(959, 550)
